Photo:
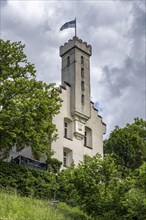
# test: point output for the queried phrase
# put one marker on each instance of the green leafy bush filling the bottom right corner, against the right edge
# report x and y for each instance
(134, 200)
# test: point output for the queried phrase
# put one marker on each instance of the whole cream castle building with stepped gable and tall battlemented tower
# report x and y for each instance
(80, 128)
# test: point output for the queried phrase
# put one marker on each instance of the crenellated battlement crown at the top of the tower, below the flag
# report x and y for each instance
(78, 43)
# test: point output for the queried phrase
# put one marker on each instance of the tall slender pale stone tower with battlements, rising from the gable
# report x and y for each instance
(76, 71)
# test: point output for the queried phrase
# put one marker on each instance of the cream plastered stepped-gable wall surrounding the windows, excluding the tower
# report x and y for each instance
(77, 146)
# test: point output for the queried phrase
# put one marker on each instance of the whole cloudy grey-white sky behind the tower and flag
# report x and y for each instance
(115, 29)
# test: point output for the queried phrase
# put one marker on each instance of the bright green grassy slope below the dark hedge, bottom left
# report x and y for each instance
(25, 208)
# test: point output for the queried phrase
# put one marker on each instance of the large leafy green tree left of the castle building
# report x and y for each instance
(27, 106)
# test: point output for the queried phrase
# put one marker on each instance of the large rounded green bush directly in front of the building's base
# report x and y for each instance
(95, 186)
